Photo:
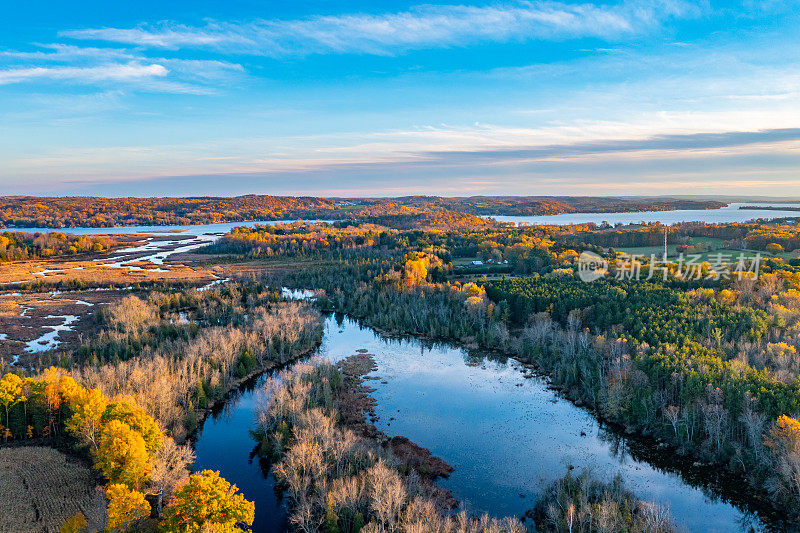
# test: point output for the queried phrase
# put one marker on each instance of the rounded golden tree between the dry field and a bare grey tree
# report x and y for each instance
(122, 454)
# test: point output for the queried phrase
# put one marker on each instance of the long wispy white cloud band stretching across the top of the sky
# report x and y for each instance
(428, 26)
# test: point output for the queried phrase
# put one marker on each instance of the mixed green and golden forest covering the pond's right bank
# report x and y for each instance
(708, 366)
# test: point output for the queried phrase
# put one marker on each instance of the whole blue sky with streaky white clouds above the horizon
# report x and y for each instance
(389, 98)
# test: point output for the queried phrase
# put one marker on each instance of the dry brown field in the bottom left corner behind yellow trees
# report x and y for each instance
(40, 488)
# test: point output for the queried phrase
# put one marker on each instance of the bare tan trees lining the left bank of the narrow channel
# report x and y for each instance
(190, 375)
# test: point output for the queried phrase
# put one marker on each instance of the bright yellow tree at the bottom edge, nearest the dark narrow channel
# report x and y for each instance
(207, 502)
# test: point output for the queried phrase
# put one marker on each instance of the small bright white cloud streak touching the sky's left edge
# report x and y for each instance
(93, 74)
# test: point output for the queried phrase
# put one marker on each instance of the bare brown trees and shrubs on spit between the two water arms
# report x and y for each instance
(342, 479)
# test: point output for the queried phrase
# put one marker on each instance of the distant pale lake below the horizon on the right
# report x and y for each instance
(731, 213)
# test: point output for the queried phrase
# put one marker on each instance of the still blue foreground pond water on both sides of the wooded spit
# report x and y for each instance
(507, 436)
